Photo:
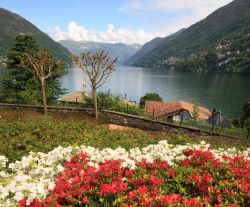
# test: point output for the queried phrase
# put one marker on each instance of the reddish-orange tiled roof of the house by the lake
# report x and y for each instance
(165, 108)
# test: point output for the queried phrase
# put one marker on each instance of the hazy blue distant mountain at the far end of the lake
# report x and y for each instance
(122, 51)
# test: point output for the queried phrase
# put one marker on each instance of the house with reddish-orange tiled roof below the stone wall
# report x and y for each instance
(175, 110)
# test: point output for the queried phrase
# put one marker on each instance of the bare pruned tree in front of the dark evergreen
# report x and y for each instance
(42, 66)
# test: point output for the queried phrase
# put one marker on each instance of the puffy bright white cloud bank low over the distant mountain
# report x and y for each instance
(111, 34)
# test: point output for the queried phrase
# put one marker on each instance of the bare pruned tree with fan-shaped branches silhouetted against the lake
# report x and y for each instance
(98, 68)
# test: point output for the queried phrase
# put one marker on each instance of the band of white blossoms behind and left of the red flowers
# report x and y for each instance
(35, 174)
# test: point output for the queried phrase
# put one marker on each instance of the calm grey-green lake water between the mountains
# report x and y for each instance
(226, 92)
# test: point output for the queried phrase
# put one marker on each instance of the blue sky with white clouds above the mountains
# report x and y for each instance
(113, 21)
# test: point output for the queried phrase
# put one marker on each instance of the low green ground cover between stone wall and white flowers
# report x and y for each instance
(21, 134)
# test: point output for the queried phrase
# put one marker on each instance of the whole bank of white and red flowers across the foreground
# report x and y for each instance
(157, 175)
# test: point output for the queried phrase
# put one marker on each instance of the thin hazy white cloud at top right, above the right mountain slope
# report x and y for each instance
(178, 13)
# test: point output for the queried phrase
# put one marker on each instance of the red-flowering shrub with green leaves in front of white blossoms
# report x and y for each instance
(200, 179)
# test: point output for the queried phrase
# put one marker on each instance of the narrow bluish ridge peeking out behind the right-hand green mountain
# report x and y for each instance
(149, 46)
